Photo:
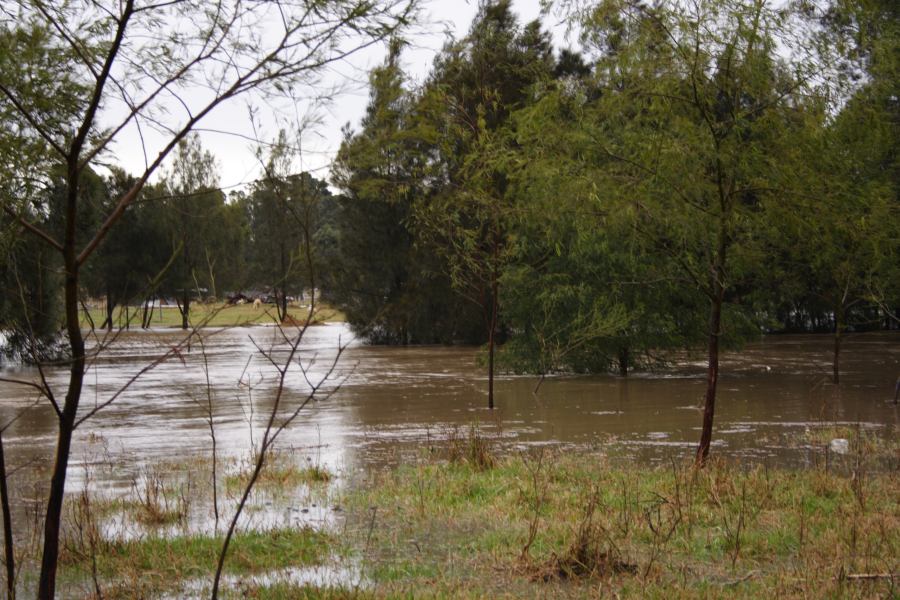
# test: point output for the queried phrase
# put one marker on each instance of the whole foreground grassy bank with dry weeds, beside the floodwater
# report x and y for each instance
(466, 523)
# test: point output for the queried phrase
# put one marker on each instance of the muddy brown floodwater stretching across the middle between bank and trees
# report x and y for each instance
(394, 401)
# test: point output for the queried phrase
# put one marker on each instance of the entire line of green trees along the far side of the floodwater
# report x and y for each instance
(689, 176)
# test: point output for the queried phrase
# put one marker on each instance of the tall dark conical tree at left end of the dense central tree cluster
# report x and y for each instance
(389, 284)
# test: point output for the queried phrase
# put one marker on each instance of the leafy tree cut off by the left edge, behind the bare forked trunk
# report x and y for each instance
(29, 172)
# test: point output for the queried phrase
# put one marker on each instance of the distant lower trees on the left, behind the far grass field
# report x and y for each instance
(184, 239)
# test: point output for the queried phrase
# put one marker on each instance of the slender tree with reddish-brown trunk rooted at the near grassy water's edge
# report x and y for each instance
(695, 115)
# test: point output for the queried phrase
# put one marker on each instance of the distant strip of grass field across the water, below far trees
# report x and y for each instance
(211, 315)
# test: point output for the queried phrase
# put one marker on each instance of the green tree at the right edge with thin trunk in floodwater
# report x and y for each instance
(838, 250)
